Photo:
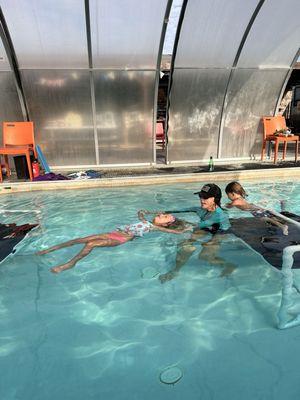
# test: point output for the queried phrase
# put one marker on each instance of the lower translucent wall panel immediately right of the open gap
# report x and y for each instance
(195, 106)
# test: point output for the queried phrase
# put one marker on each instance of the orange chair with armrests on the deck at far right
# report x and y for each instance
(271, 125)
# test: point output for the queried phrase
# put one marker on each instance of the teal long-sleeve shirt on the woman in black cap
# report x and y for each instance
(208, 218)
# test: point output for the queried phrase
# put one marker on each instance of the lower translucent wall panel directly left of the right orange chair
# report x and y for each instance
(252, 94)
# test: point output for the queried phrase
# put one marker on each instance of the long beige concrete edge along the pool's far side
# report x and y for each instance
(13, 187)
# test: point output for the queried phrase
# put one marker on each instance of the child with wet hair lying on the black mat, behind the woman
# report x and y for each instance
(236, 193)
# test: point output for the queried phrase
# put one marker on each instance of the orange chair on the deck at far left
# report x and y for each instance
(18, 139)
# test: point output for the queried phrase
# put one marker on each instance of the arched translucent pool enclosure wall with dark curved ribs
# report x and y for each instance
(86, 72)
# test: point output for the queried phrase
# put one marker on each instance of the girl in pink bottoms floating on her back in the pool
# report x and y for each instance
(161, 222)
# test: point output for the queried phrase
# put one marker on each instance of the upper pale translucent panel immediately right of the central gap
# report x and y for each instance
(212, 31)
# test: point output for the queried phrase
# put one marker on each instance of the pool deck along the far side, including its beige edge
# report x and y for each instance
(158, 176)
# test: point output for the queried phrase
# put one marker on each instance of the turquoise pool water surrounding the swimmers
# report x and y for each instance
(107, 328)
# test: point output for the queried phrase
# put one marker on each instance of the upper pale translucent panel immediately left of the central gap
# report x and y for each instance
(126, 34)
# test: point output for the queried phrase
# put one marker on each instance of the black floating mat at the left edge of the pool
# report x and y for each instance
(10, 236)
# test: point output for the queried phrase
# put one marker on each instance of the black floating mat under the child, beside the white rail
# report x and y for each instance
(267, 239)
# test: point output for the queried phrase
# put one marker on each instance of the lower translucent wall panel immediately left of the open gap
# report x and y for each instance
(124, 104)
